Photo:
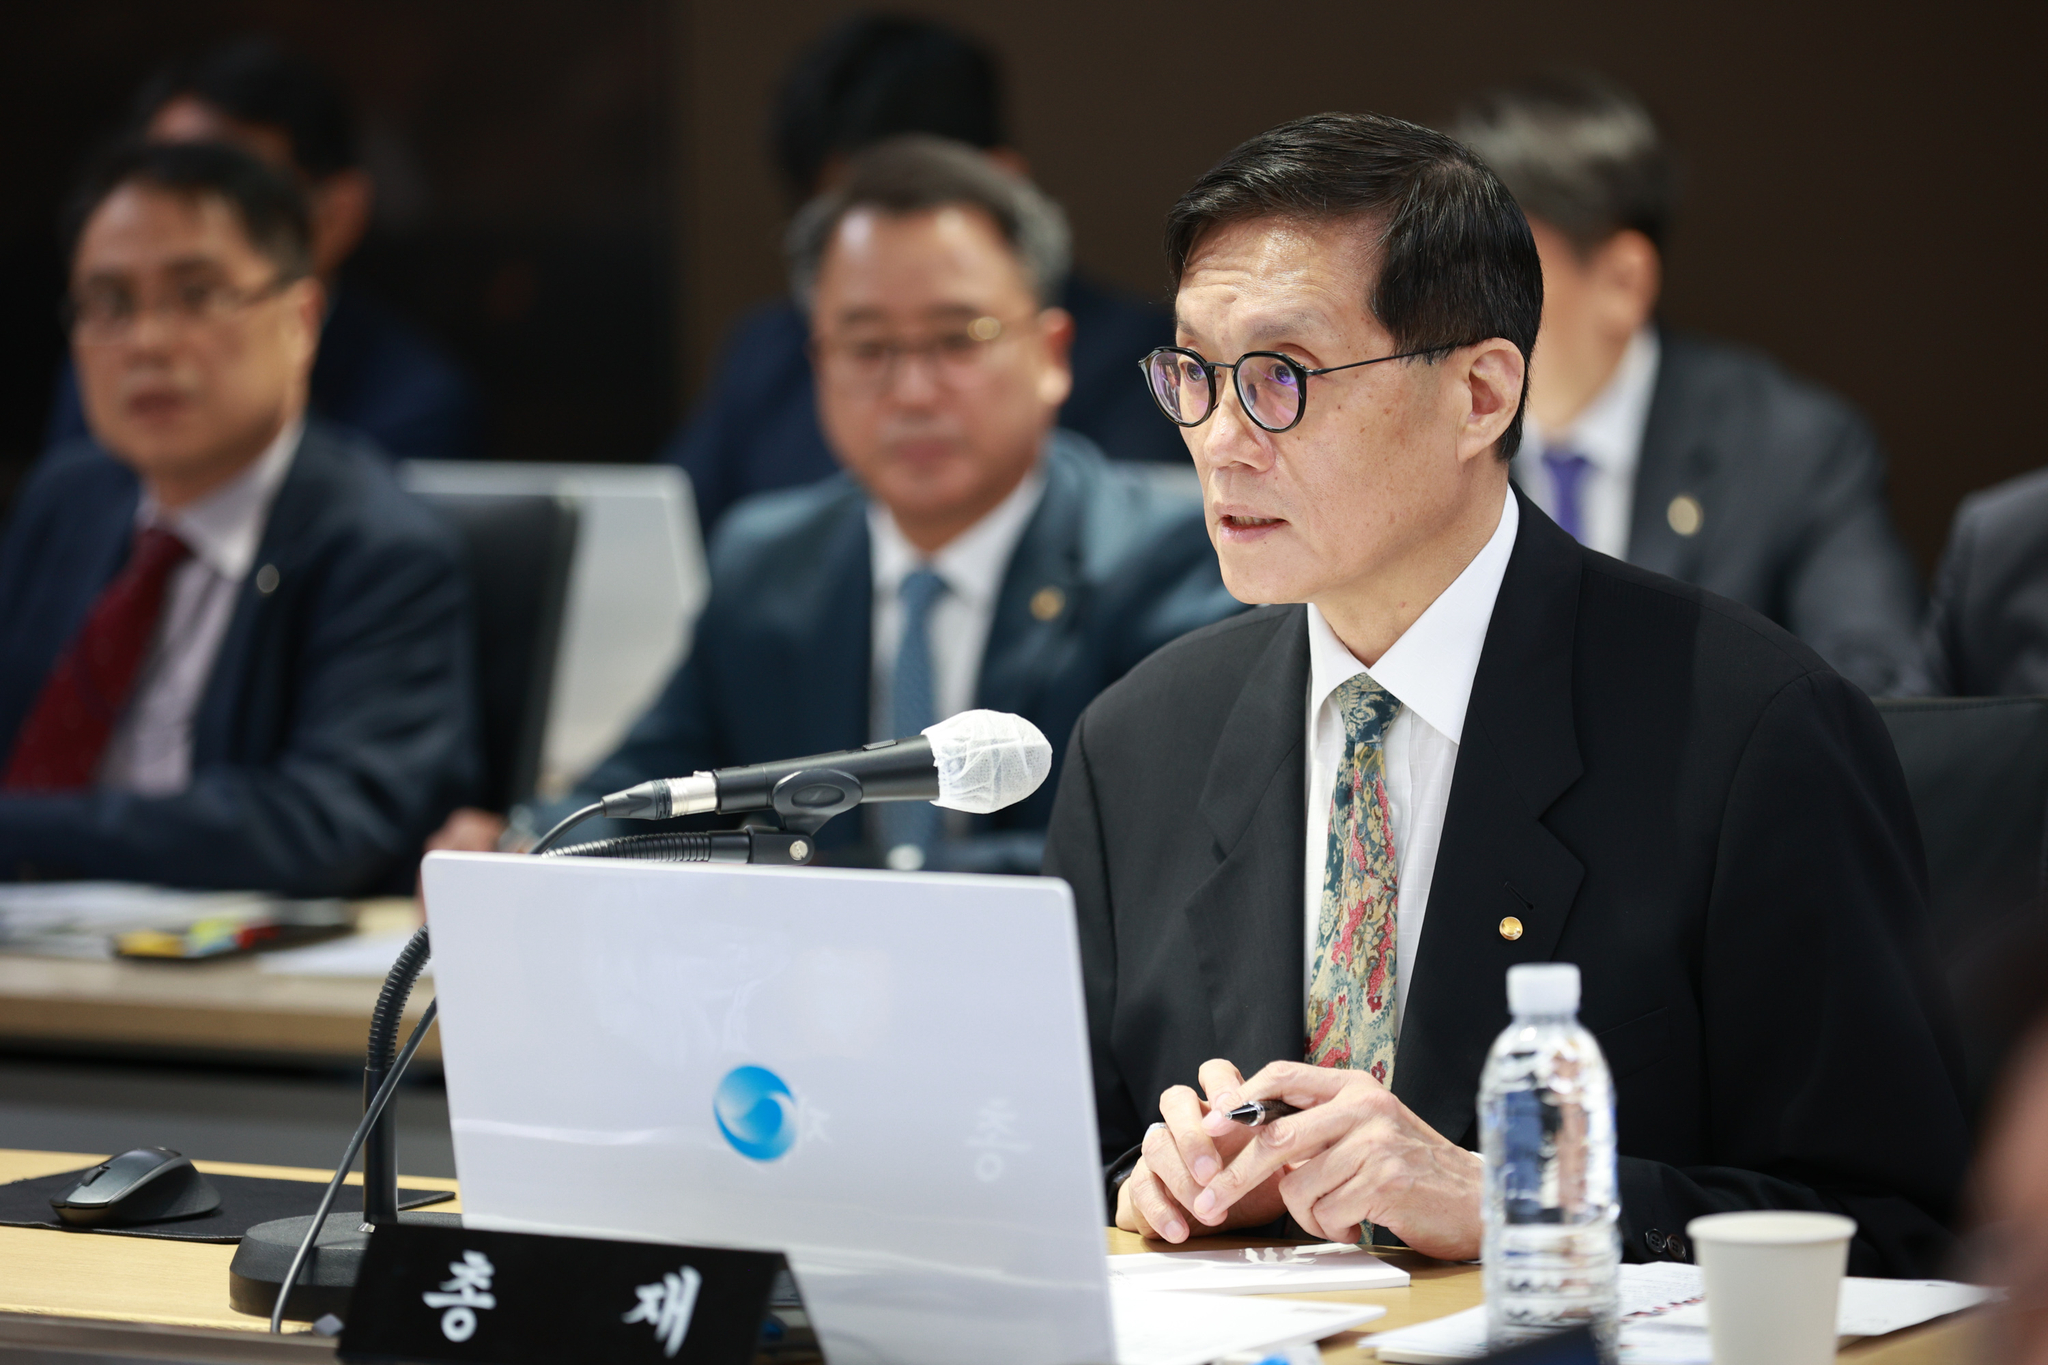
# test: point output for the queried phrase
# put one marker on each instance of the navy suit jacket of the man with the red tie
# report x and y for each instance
(339, 723)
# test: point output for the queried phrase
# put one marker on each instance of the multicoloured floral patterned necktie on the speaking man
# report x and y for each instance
(1353, 979)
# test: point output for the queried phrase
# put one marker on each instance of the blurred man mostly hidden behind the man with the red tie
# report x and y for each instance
(376, 373)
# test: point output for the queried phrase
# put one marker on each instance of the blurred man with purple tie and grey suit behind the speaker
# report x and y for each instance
(1672, 451)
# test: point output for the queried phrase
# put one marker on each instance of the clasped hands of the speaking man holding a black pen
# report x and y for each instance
(1353, 1153)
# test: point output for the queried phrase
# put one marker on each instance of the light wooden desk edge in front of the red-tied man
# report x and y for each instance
(218, 1010)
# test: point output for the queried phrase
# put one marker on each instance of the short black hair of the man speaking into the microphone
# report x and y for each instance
(1457, 263)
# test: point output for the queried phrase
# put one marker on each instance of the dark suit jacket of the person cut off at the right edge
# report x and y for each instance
(1990, 627)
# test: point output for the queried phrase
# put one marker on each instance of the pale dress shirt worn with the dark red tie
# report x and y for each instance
(151, 750)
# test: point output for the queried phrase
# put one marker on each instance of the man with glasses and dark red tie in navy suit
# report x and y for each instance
(232, 650)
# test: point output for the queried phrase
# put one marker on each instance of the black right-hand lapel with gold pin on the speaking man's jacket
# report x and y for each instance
(1498, 861)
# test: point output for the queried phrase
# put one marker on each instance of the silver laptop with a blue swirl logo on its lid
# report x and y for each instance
(882, 1075)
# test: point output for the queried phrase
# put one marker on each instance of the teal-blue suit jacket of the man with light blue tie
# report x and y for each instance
(781, 664)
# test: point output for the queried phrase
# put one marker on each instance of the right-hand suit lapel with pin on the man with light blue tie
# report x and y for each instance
(1041, 597)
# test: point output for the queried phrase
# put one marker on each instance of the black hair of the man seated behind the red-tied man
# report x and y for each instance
(255, 81)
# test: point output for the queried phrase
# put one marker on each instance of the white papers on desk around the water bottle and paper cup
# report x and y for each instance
(1664, 1317)
